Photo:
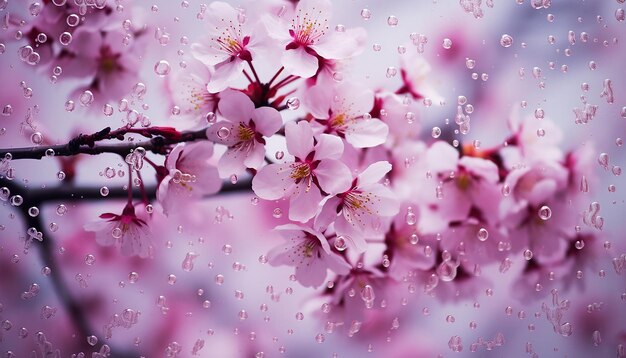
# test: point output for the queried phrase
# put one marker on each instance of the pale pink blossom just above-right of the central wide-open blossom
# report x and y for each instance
(344, 111)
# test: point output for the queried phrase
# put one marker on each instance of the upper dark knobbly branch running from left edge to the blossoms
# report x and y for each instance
(160, 139)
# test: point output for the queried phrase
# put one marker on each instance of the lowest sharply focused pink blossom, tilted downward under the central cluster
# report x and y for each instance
(308, 250)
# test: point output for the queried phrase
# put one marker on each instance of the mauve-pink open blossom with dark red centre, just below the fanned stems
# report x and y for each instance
(242, 132)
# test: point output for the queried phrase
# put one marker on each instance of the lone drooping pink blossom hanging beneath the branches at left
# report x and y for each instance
(132, 233)
